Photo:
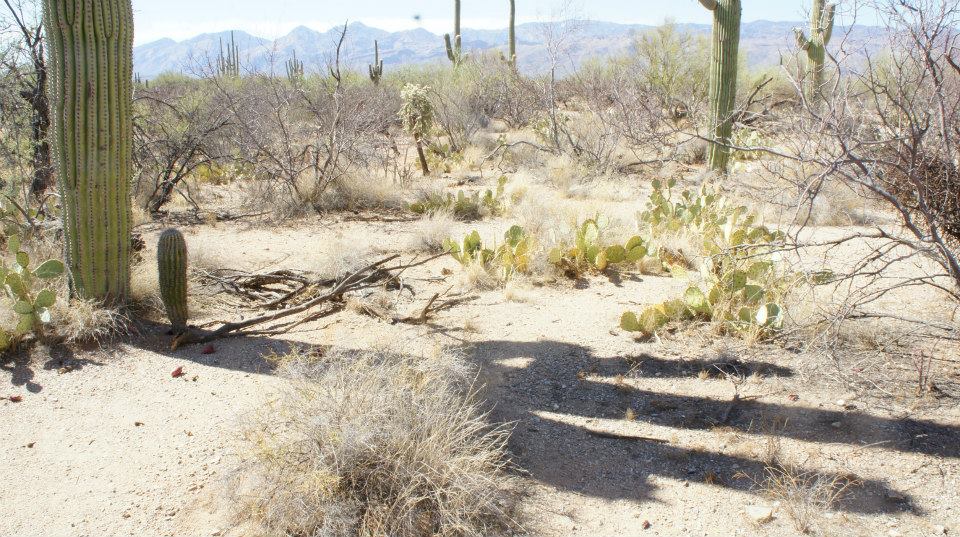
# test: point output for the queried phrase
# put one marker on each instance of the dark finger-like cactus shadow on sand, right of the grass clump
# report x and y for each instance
(533, 394)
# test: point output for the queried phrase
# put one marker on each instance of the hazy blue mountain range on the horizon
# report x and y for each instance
(761, 41)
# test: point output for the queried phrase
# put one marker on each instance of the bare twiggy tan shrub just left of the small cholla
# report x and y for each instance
(298, 140)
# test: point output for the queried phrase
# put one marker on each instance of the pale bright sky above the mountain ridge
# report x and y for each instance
(181, 19)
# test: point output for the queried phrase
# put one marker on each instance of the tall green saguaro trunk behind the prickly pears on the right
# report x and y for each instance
(723, 78)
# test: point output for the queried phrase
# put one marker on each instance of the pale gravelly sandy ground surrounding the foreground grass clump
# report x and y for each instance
(107, 442)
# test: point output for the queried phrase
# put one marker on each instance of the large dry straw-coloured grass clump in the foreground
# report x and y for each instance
(366, 443)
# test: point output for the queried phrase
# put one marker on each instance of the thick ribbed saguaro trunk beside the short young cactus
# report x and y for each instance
(91, 97)
